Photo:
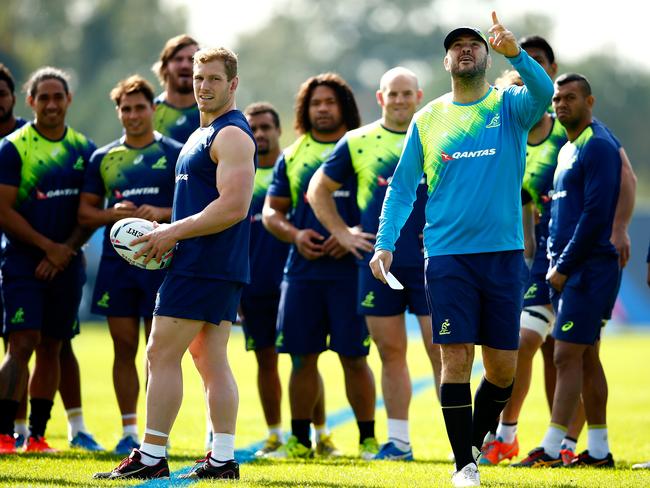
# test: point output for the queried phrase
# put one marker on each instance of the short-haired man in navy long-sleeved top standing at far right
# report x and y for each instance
(584, 272)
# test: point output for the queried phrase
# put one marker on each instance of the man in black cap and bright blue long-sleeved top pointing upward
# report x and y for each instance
(470, 144)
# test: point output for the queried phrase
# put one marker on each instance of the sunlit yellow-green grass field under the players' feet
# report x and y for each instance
(626, 363)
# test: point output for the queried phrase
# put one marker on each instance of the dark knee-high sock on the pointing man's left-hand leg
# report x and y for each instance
(456, 401)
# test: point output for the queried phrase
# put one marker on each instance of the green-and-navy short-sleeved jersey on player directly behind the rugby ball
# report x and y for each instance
(142, 176)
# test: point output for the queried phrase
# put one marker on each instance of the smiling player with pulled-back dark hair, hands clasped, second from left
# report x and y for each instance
(43, 270)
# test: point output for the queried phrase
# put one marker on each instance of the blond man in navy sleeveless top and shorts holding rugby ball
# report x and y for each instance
(197, 301)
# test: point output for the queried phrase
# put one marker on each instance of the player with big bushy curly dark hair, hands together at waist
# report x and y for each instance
(320, 282)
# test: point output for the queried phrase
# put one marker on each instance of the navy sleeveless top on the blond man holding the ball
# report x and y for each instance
(223, 255)
